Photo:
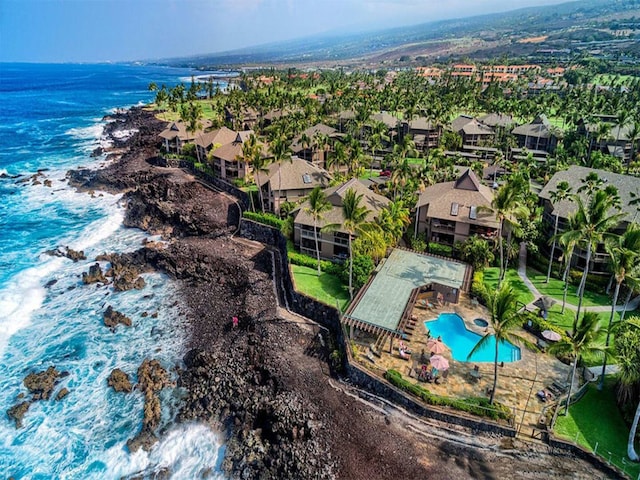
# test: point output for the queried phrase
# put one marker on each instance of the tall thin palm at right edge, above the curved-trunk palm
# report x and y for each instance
(624, 252)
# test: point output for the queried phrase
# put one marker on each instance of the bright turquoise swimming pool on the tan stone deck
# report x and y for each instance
(461, 341)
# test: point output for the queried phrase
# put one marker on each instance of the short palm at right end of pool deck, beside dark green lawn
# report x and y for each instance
(583, 340)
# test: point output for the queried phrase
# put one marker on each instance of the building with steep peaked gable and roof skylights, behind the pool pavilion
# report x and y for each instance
(451, 212)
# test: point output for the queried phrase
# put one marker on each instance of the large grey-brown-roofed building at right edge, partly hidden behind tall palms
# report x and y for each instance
(628, 189)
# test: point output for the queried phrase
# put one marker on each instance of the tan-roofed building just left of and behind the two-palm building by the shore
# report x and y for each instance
(290, 182)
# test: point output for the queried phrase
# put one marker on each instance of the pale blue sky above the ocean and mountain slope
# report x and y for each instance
(127, 30)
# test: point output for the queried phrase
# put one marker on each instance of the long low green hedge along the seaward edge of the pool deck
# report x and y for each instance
(475, 405)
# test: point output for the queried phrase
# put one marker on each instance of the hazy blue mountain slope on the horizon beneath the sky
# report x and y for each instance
(498, 28)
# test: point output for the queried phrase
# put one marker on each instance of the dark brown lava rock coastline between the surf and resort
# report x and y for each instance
(265, 383)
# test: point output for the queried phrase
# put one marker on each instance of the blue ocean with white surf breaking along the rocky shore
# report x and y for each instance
(51, 121)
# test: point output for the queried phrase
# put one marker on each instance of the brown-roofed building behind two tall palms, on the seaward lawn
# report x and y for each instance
(333, 245)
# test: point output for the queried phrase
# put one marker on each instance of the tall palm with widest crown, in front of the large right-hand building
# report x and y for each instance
(591, 225)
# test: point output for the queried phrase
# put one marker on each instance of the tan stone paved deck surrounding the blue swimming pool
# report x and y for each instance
(518, 381)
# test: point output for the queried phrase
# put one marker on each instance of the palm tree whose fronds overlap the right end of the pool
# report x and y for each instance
(504, 320)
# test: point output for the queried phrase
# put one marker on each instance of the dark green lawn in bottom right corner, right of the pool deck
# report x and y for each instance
(587, 425)
